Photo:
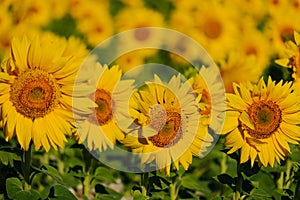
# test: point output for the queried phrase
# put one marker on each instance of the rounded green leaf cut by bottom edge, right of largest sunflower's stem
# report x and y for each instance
(60, 192)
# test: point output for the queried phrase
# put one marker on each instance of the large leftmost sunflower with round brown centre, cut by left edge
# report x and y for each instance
(36, 90)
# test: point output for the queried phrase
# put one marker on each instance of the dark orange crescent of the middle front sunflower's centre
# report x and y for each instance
(170, 132)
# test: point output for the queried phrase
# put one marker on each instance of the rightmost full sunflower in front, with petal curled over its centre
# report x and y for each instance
(261, 120)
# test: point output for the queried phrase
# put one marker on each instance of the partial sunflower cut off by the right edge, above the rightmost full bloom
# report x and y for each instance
(292, 59)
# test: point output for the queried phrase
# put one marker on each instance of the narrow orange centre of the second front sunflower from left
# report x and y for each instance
(104, 108)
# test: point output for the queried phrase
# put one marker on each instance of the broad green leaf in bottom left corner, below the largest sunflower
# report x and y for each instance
(15, 190)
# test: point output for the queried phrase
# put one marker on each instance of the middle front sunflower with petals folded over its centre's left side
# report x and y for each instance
(165, 123)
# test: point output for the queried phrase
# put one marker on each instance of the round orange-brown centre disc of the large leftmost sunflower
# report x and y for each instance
(34, 93)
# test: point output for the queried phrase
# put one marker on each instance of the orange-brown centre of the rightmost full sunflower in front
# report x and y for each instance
(266, 117)
